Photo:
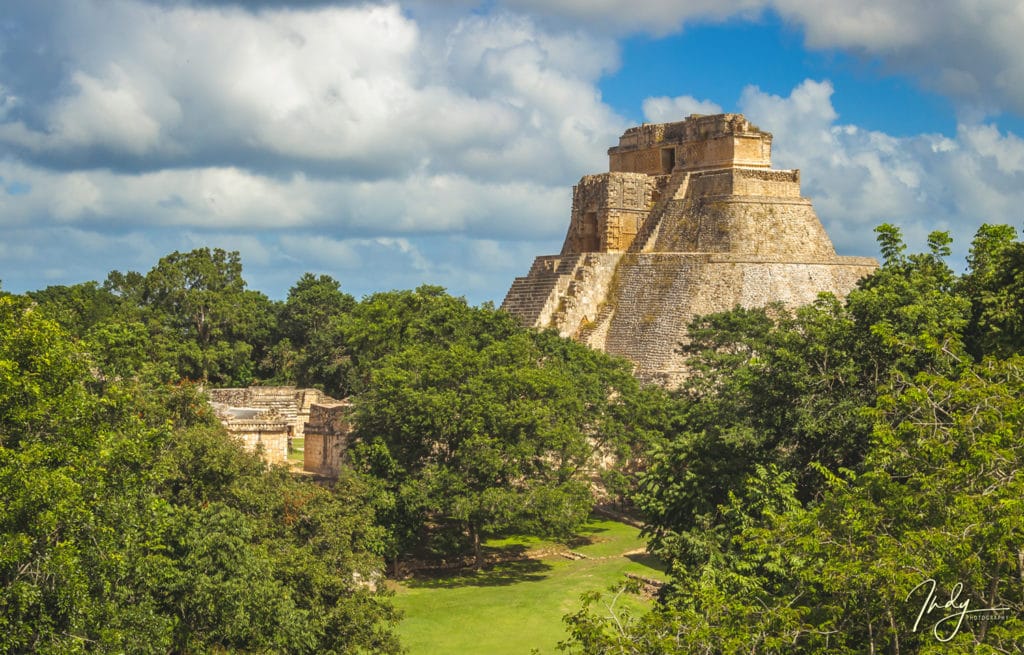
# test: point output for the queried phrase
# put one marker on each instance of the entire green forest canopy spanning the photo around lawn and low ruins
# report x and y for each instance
(820, 473)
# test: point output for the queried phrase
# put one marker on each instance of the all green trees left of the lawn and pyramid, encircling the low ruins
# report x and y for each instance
(132, 523)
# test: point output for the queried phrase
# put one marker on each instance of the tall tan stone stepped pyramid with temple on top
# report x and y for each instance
(691, 220)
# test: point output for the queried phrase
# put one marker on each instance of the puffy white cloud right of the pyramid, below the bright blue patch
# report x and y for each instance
(859, 179)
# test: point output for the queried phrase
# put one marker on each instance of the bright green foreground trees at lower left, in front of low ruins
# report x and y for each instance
(132, 523)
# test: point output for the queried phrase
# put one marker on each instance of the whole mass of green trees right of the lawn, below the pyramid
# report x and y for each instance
(825, 470)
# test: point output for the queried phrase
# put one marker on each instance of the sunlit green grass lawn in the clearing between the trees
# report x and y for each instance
(519, 606)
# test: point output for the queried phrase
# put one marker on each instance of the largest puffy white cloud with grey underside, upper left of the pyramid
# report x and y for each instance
(360, 92)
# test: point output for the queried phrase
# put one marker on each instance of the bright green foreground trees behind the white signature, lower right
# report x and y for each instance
(938, 503)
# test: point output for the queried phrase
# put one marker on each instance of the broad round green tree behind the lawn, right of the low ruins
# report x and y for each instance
(478, 427)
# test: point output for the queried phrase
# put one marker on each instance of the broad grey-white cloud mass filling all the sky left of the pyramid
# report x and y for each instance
(345, 136)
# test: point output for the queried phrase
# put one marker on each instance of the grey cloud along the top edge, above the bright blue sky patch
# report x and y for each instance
(970, 52)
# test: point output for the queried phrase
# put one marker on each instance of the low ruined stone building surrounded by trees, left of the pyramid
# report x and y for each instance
(270, 418)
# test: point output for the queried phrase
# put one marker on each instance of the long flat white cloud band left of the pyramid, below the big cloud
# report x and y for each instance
(214, 199)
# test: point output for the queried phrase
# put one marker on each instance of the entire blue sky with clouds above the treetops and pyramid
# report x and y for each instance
(394, 145)
